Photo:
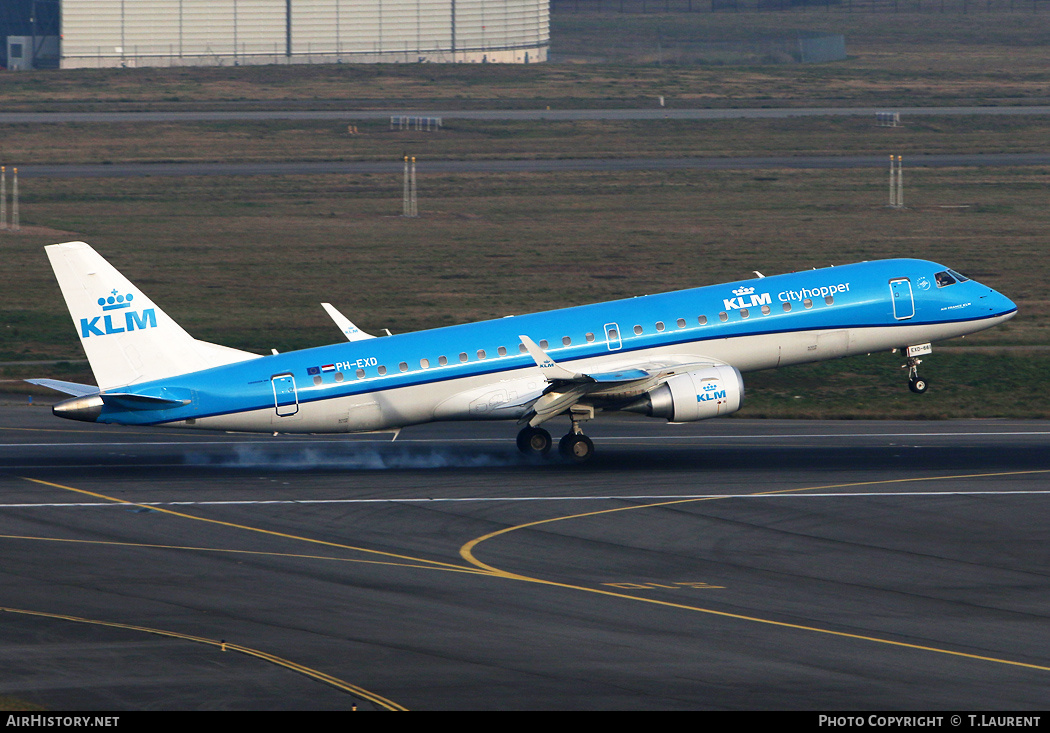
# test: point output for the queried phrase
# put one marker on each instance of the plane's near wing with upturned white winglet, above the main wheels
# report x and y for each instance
(568, 389)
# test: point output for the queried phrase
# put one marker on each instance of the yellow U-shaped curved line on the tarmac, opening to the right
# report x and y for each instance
(468, 553)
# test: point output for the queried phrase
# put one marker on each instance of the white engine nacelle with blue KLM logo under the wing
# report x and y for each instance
(710, 392)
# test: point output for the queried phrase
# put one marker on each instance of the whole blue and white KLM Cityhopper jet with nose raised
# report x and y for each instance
(677, 357)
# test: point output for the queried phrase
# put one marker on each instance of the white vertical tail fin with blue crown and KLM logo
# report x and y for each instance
(127, 337)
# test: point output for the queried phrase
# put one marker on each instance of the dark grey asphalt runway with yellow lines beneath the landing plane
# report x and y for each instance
(732, 564)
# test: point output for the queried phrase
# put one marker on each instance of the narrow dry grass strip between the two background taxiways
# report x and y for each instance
(472, 140)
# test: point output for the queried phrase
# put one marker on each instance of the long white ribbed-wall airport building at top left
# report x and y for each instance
(94, 34)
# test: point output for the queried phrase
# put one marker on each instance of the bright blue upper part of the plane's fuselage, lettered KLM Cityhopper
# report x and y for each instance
(862, 300)
